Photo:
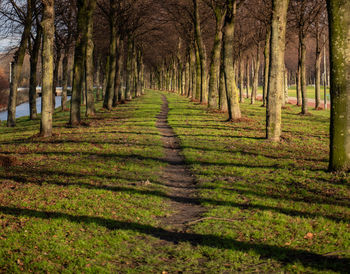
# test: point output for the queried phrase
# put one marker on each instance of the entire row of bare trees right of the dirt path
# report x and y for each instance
(220, 84)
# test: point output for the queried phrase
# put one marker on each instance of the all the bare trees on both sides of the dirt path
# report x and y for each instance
(209, 50)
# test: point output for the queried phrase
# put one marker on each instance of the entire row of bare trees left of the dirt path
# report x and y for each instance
(94, 43)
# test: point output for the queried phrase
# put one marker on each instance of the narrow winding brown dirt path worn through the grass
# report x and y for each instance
(176, 176)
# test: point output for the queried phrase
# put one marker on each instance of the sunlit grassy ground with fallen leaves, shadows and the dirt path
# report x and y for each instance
(162, 185)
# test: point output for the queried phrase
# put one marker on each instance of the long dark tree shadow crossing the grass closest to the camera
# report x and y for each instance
(282, 254)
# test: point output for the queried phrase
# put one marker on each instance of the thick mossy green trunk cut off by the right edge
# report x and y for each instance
(339, 26)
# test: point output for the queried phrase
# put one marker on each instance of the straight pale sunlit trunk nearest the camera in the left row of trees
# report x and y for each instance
(48, 29)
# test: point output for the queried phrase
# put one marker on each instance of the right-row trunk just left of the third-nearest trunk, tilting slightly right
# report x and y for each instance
(215, 60)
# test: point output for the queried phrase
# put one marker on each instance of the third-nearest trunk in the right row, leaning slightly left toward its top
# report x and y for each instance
(234, 111)
